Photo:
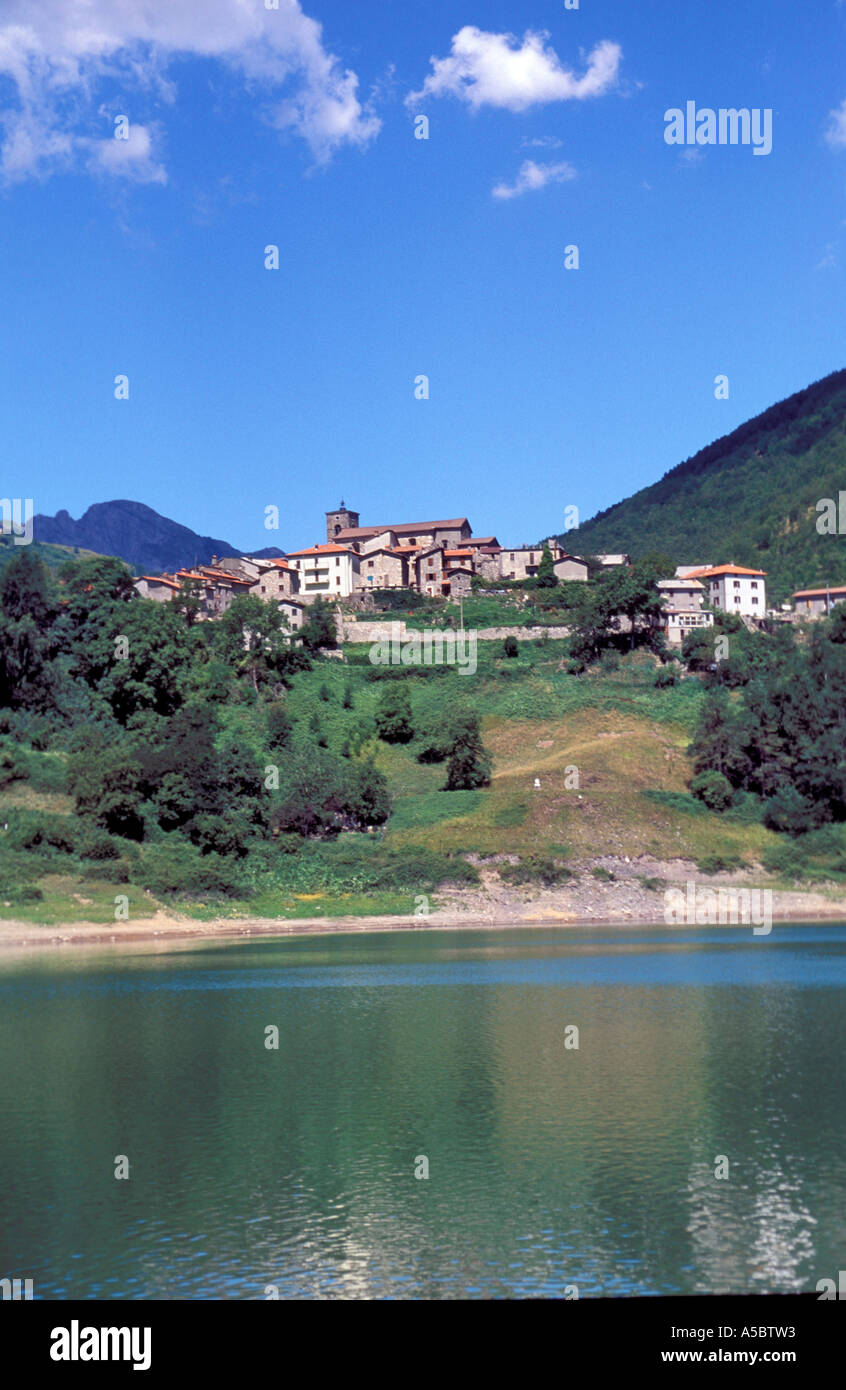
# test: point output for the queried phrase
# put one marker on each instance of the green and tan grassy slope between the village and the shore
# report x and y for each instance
(627, 740)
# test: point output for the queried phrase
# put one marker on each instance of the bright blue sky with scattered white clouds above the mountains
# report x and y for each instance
(295, 387)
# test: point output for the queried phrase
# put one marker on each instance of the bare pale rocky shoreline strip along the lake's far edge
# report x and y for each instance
(622, 900)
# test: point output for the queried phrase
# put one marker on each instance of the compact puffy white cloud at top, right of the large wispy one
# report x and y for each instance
(497, 70)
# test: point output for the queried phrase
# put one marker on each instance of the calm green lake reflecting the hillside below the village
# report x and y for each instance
(291, 1171)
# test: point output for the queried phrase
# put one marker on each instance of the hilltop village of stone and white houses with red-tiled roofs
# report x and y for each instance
(441, 559)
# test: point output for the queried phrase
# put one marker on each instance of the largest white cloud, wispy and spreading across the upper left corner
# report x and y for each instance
(58, 54)
